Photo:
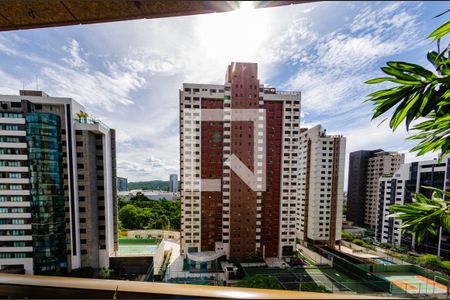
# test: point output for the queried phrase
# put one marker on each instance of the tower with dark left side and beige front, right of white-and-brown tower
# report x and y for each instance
(365, 168)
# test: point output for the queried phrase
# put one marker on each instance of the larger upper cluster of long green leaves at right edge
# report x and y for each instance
(419, 94)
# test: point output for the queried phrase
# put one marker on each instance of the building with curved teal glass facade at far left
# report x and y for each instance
(58, 188)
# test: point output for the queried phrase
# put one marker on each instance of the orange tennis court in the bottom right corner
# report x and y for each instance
(410, 283)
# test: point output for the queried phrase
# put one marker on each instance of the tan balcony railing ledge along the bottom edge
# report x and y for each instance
(21, 286)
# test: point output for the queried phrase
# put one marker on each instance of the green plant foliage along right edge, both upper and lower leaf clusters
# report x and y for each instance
(423, 96)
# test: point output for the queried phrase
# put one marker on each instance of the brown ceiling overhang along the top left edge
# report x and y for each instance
(28, 14)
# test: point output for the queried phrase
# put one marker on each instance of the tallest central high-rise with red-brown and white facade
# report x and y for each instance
(239, 168)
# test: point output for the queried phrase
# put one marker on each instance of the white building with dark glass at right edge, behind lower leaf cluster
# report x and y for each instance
(399, 189)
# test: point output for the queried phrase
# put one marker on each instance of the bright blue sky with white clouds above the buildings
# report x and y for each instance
(128, 74)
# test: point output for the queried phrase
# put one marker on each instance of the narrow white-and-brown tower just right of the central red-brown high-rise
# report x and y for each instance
(321, 193)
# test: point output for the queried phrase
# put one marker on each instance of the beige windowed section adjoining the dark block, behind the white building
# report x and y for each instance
(380, 164)
